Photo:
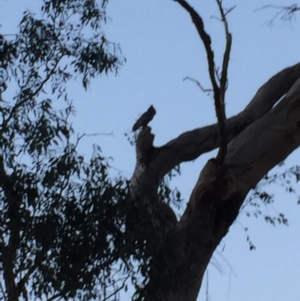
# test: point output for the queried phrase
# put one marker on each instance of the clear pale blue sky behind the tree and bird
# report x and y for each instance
(161, 47)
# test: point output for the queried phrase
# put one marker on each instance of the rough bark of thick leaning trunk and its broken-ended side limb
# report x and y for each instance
(261, 136)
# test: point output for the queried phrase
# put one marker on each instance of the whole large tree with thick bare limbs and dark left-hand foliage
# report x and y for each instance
(97, 227)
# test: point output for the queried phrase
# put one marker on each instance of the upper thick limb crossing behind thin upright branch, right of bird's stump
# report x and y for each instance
(190, 145)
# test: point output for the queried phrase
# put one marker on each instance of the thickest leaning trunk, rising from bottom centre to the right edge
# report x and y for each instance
(220, 191)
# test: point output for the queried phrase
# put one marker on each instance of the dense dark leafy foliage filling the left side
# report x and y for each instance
(60, 214)
